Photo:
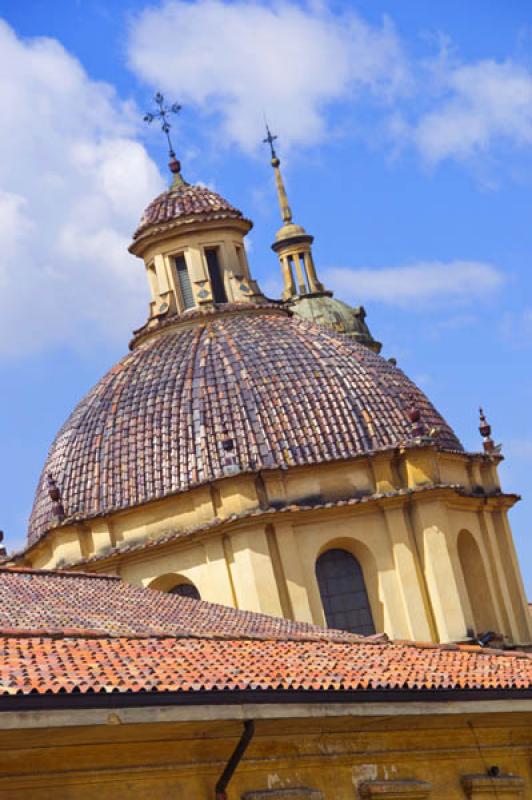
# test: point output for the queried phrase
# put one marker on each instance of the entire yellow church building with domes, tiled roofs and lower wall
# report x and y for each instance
(260, 564)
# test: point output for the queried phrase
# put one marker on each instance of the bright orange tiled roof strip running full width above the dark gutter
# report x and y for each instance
(51, 665)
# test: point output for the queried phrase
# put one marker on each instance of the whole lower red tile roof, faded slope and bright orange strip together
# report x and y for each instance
(202, 647)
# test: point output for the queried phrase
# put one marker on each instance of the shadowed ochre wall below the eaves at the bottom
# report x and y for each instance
(338, 758)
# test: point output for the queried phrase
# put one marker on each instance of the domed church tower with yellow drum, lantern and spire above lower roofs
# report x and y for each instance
(248, 452)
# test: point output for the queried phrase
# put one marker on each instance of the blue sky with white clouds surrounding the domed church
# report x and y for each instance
(405, 133)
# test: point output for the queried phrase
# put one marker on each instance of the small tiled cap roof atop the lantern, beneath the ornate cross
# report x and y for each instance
(185, 203)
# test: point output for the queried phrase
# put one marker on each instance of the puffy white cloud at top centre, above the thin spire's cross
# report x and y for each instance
(240, 59)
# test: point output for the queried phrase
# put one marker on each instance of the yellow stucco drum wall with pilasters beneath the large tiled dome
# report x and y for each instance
(427, 529)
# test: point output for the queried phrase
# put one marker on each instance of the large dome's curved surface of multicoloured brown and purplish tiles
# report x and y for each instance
(276, 391)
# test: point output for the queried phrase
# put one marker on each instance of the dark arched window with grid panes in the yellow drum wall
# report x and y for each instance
(343, 592)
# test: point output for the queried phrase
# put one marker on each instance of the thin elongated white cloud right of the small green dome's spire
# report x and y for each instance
(417, 285)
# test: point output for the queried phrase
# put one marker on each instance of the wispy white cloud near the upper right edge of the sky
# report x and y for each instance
(483, 104)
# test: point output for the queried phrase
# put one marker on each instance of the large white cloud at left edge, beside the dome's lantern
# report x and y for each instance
(73, 184)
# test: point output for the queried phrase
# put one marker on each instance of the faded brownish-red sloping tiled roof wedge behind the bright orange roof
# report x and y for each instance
(51, 601)
